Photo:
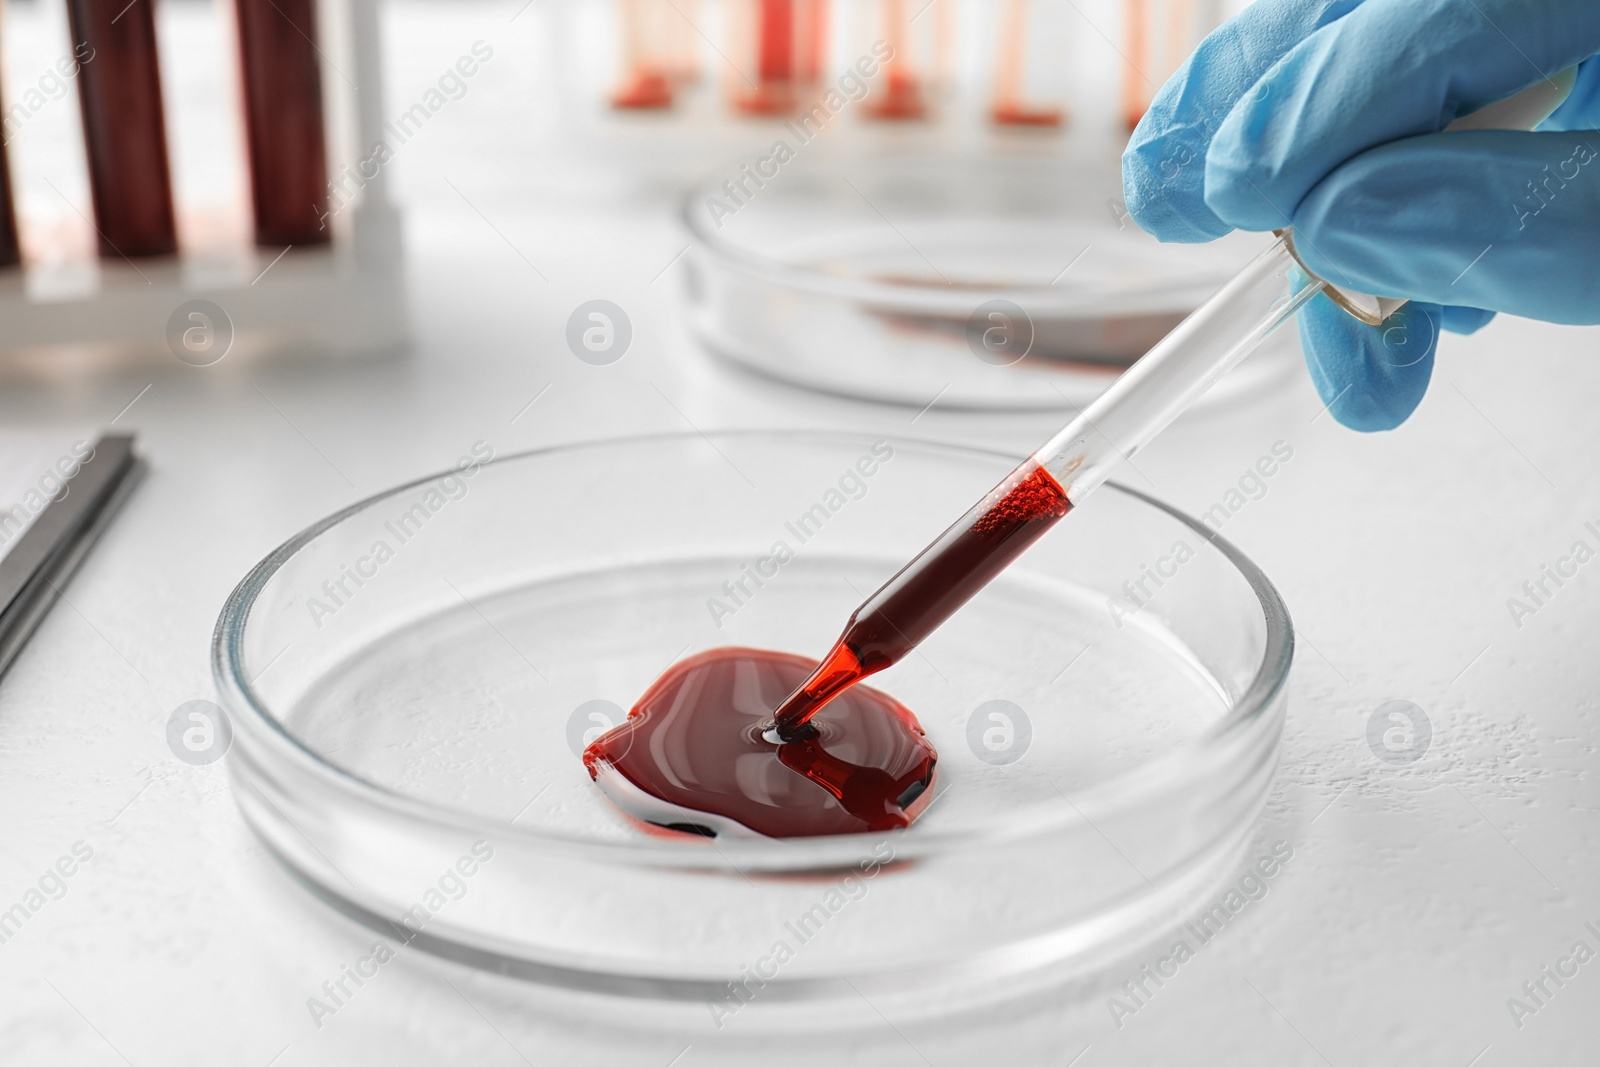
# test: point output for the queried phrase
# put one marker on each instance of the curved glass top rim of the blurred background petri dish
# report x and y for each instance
(927, 297)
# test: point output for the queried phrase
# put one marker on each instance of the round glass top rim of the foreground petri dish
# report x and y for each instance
(241, 697)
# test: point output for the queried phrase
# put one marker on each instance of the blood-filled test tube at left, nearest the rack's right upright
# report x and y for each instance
(284, 121)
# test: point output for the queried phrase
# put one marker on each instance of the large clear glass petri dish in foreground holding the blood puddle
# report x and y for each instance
(410, 682)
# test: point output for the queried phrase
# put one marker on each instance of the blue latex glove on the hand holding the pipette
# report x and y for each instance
(1327, 116)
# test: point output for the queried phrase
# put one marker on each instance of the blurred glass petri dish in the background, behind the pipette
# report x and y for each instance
(988, 282)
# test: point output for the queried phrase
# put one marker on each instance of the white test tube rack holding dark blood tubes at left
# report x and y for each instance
(340, 298)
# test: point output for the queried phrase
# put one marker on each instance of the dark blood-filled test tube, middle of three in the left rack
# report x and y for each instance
(124, 127)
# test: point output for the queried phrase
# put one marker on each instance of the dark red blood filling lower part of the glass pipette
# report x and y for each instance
(930, 589)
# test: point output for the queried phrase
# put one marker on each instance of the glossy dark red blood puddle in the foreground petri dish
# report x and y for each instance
(692, 754)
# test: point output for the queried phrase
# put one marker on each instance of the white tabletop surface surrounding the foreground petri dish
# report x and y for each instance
(1418, 901)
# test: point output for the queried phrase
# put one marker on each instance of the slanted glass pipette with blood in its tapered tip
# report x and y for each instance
(1113, 428)
